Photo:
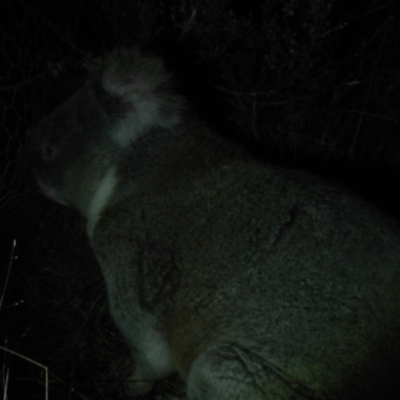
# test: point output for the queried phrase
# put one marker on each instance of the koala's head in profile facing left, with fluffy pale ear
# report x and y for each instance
(128, 95)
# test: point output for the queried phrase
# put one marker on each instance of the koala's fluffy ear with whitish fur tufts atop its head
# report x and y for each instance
(145, 89)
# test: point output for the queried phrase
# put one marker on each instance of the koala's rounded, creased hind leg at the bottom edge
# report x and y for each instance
(231, 372)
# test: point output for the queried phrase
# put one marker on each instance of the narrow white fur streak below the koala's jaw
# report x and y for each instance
(101, 198)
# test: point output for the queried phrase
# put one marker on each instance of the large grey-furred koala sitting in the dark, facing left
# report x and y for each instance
(250, 280)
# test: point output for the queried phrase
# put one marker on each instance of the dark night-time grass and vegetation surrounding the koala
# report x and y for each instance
(311, 84)
